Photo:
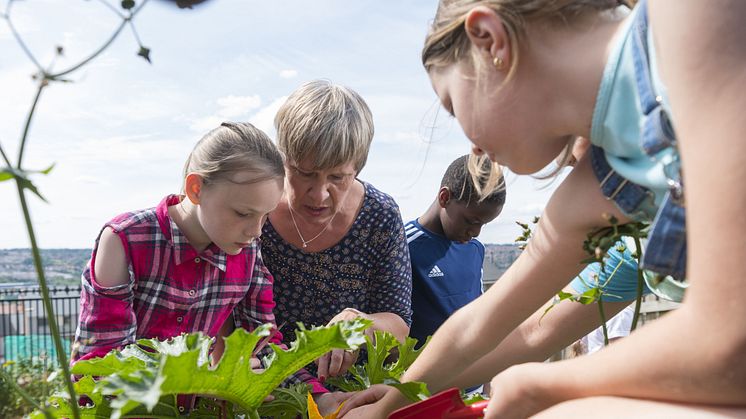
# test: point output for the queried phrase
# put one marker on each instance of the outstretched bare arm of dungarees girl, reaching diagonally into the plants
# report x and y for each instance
(549, 262)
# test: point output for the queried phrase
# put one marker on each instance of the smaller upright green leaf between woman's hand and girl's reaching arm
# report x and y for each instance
(379, 369)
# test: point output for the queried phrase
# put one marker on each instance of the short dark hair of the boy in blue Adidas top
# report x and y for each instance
(459, 181)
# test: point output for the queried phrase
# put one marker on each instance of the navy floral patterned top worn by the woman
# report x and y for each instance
(368, 269)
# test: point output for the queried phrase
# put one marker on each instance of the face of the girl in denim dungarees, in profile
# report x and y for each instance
(502, 119)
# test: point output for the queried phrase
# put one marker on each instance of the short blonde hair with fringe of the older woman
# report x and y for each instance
(327, 122)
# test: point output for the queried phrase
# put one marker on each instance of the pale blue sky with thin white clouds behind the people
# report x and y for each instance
(119, 134)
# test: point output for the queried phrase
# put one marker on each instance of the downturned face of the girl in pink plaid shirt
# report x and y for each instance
(232, 214)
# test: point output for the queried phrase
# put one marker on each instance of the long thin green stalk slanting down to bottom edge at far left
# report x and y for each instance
(51, 319)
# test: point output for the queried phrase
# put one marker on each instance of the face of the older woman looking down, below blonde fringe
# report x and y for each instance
(316, 195)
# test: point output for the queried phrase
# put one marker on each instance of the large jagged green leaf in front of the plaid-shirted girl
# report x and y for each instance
(143, 379)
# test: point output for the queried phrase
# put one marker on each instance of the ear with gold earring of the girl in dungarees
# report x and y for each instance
(491, 40)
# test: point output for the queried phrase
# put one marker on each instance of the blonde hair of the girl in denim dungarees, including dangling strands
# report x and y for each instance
(447, 43)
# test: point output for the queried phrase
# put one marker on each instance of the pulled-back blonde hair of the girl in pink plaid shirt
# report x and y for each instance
(231, 148)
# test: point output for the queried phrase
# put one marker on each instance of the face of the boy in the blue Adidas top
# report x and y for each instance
(462, 223)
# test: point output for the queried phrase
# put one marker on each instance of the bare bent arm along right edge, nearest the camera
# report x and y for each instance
(694, 354)
